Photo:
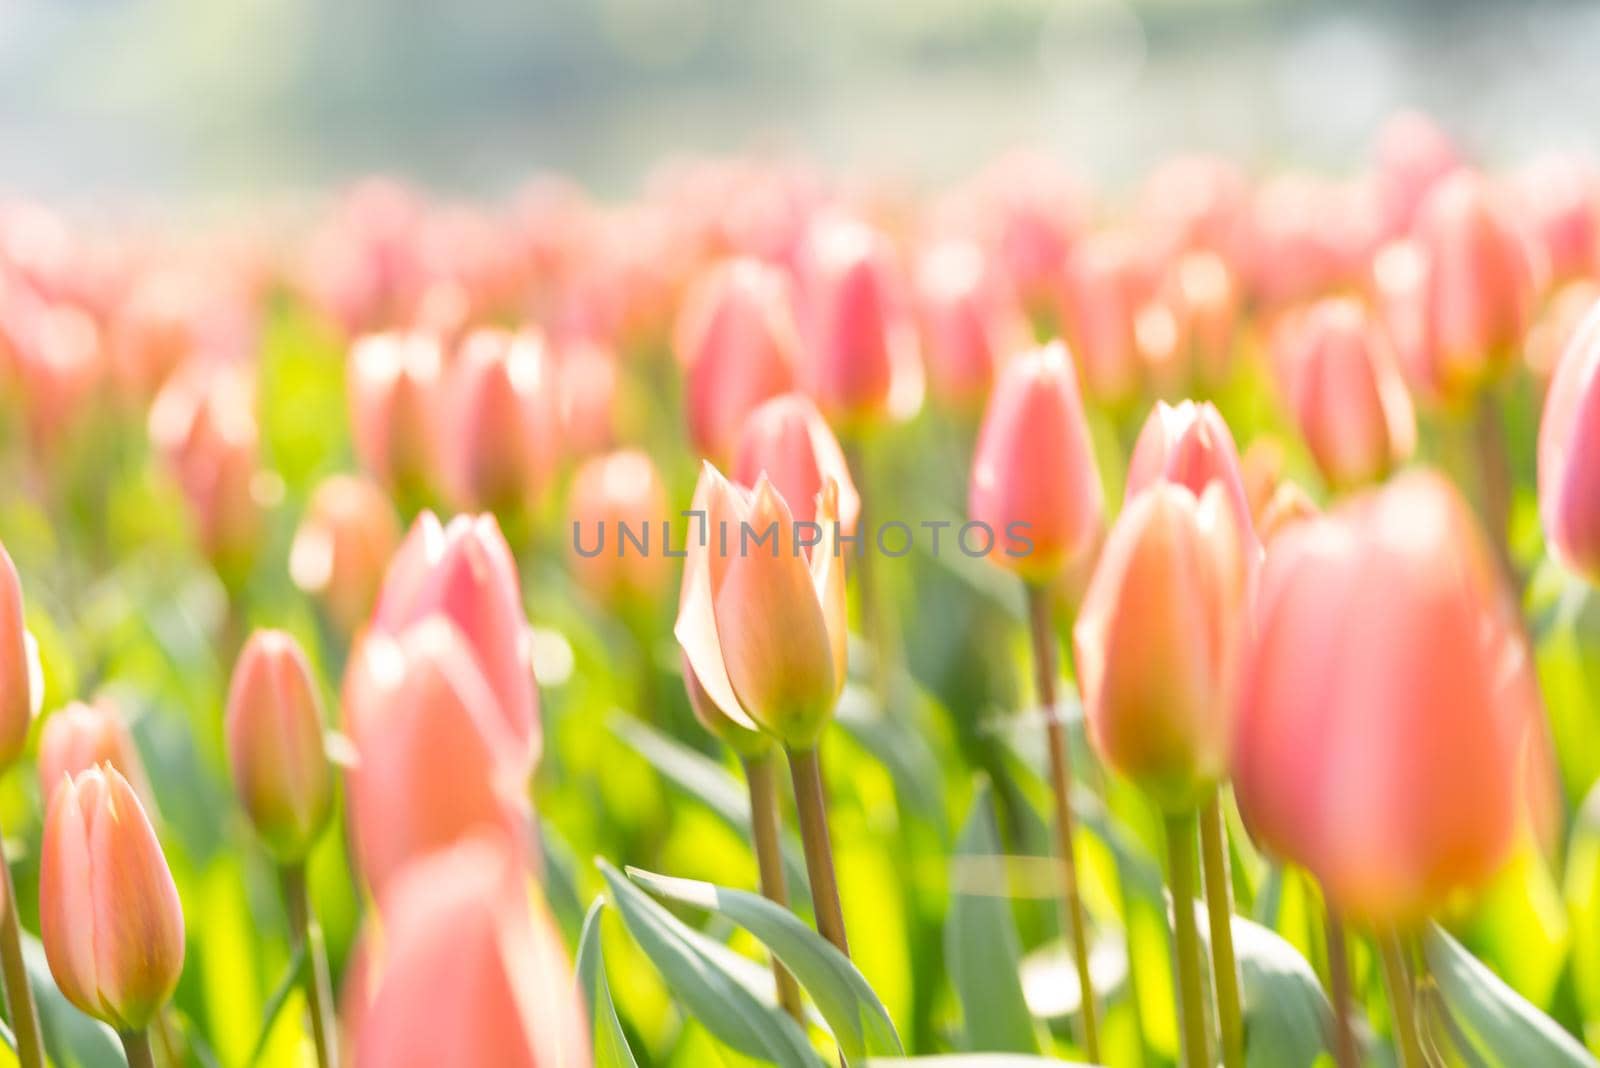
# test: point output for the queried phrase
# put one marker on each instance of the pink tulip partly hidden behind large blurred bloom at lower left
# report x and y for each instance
(465, 572)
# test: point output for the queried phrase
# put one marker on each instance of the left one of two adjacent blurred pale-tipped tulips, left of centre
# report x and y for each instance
(394, 388)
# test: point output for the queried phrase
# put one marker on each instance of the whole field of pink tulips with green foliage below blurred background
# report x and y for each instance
(782, 618)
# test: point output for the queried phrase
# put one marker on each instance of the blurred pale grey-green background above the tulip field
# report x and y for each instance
(222, 102)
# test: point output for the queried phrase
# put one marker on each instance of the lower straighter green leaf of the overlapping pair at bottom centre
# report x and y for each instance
(713, 995)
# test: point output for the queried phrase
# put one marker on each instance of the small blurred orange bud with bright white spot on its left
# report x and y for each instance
(343, 546)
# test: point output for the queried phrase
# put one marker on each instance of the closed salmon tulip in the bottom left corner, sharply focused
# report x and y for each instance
(108, 907)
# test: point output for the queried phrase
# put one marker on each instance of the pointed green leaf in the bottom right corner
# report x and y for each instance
(1494, 1019)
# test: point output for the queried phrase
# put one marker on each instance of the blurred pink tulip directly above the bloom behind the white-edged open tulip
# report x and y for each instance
(738, 343)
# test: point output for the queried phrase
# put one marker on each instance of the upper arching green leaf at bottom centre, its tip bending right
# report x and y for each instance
(860, 1022)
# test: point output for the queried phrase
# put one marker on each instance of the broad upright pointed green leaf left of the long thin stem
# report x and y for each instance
(982, 944)
